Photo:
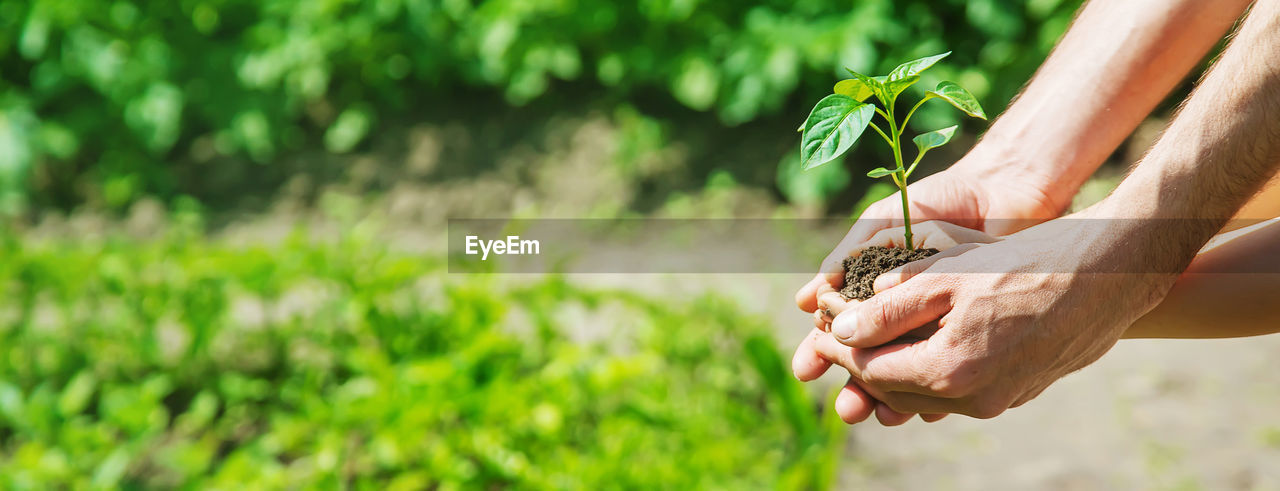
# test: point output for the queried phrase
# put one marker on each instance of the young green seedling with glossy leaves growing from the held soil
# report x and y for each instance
(839, 120)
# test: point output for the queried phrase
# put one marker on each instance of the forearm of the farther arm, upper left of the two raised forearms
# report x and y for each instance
(1112, 68)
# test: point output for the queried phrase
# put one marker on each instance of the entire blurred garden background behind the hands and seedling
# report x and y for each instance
(223, 232)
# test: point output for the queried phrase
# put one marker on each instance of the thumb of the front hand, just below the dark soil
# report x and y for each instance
(892, 314)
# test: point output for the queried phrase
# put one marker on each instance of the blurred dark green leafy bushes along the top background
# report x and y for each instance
(118, 91)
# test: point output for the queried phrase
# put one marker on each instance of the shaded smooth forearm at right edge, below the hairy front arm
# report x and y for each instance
(1228, 292)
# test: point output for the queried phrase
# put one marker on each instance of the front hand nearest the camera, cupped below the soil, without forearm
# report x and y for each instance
(1013, 318)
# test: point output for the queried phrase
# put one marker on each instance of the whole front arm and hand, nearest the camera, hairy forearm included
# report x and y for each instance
(1055, 297)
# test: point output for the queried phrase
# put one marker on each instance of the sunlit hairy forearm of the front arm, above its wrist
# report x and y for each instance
(1220, 149)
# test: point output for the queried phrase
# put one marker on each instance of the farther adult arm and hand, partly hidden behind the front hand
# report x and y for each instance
(1124, 58)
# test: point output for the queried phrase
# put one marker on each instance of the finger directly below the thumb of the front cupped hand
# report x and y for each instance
(865, 365)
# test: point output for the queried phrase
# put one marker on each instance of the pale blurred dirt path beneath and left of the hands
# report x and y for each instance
(1150, 415)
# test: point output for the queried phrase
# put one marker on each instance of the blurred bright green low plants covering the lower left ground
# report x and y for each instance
(182, 362)
